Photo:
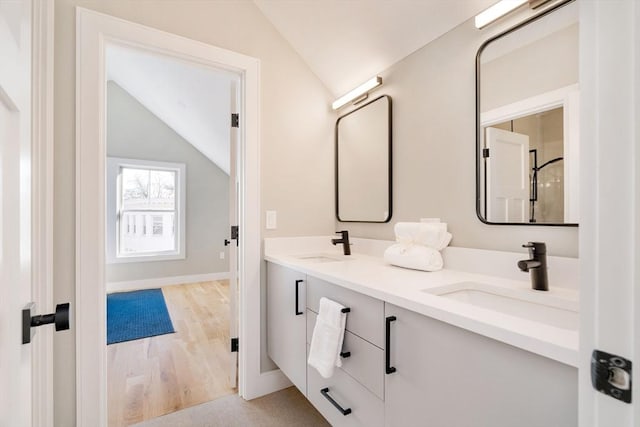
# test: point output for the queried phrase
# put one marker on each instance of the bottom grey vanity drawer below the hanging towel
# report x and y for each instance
(366, 409)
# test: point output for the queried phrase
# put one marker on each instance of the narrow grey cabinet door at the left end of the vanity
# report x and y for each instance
(286, 323)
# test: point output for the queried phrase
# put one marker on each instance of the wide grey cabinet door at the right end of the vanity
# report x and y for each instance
(446, 376)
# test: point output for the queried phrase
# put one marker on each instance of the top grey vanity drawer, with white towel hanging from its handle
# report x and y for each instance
(366, 318)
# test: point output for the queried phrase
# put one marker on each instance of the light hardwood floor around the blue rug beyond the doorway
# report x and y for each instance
(159, 375)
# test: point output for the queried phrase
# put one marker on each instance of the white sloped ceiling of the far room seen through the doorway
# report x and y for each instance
(193, 100)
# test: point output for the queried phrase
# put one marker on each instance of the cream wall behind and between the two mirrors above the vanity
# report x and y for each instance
(433, 93)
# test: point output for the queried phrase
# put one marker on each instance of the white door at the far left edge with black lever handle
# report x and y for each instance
(15, 210)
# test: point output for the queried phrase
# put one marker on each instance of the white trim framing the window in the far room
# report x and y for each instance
(113, 169)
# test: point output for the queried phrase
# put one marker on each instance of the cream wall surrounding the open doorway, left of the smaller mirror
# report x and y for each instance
(296, 128)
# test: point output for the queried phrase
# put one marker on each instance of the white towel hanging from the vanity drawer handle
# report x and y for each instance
(328, 335)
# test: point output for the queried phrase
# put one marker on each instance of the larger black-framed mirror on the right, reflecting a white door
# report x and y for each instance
(527, 142)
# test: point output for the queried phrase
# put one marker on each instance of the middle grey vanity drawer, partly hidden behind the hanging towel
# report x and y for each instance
(366, 362)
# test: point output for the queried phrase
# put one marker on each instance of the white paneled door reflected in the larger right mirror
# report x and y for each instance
(507, 169)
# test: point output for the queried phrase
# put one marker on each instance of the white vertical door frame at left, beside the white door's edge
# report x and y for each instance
(42, 178)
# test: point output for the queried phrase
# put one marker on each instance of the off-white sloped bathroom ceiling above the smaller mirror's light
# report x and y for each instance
(346, 42)
